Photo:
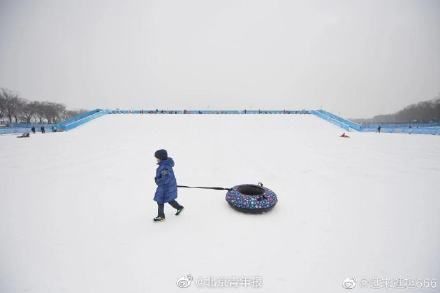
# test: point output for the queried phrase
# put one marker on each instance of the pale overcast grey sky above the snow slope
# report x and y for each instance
(355, 58)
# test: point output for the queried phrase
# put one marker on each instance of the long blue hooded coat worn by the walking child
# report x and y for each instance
(166, 182)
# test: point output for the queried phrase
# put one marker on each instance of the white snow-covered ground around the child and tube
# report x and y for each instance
(76, 208)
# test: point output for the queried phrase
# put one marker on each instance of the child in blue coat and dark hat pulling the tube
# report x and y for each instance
(166, 191)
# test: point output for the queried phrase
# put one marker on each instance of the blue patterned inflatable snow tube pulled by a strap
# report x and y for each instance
(249, 198)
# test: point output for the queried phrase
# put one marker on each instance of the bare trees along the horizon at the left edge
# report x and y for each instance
(16, 109)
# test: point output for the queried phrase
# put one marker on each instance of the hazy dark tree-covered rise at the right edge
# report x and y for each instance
(426, 111)
